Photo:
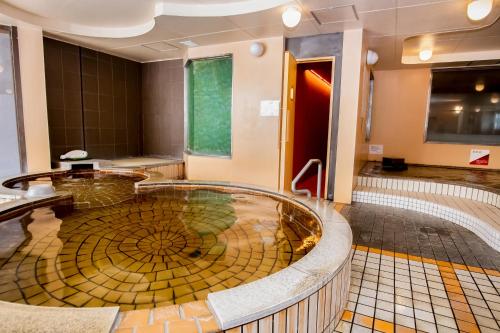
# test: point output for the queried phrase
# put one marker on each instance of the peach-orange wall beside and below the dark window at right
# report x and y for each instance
(400, 106)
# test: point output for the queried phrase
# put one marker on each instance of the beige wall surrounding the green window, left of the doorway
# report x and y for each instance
(255, 157)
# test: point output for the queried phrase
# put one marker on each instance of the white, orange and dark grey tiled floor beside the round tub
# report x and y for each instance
(412, 272)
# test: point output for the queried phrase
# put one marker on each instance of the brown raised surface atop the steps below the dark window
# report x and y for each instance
(472, 177)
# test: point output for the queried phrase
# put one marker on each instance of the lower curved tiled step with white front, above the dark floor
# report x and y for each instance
(481, 218)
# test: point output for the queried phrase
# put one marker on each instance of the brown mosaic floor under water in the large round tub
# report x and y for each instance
(163, 247)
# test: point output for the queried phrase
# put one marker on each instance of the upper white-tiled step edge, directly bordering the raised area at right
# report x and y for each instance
(423, 186)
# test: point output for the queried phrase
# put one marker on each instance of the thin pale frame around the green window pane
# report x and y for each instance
(188, 151)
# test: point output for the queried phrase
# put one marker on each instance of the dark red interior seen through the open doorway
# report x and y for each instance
(312, 110)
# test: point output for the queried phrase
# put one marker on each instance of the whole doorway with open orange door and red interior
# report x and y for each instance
(306, 121)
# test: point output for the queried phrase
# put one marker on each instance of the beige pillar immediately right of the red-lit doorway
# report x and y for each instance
(350, 148)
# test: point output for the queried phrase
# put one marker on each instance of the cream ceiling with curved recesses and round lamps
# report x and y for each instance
(151, 30)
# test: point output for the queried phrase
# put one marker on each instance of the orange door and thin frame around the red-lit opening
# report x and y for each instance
(287, 120)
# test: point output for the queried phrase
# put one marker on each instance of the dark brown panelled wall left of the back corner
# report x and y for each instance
(98, 96)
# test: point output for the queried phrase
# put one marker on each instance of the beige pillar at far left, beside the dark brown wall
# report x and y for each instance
(32, 71)
